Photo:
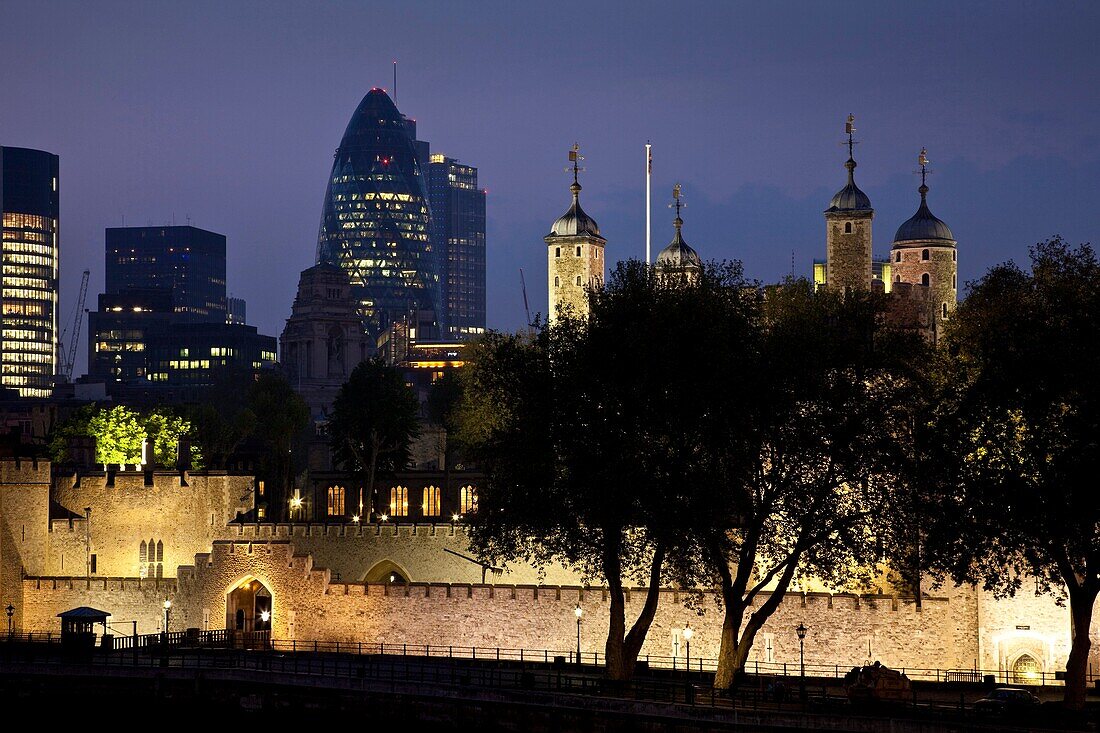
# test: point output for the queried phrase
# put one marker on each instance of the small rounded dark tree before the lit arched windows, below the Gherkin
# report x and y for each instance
(375, 423)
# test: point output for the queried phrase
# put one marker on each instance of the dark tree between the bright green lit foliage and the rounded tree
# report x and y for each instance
(281, 418)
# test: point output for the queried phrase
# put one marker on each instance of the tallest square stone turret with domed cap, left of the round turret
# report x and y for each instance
(849, 231)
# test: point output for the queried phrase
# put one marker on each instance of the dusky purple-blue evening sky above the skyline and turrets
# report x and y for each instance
(228, 113)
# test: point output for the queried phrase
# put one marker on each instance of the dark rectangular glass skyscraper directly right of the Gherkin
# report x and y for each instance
(458, 217)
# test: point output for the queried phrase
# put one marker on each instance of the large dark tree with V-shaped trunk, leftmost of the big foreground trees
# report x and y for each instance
(588, 433)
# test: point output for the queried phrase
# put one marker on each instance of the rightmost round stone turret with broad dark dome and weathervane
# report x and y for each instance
(925, 254)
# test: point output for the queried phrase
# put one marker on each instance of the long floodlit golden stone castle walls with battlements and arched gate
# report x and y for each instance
(329, 584)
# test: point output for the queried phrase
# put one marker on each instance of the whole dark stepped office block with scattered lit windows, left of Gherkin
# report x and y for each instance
(164, 329)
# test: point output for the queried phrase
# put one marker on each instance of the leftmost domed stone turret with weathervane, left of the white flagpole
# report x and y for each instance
(575, 255)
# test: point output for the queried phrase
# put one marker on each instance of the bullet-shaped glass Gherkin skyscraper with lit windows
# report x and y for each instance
(377, 222)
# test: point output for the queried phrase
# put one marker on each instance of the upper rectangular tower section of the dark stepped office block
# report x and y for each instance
(189, 261)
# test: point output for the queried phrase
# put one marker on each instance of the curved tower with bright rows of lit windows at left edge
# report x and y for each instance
(29, 212)
